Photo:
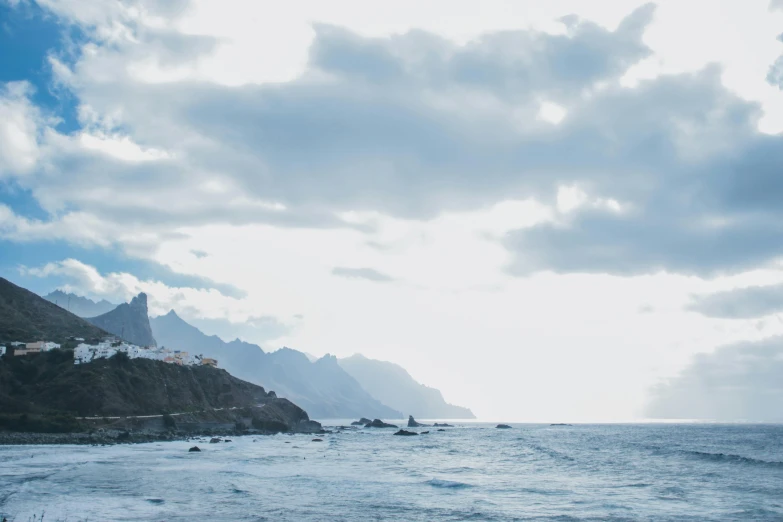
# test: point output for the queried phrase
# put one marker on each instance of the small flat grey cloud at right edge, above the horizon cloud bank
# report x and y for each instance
(740, 303)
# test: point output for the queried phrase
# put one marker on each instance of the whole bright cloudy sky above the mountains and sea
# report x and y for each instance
(551, 211)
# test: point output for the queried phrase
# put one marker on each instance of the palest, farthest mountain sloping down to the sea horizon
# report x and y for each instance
(393, 385)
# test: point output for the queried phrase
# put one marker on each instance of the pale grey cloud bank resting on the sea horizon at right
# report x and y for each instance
(735, 383)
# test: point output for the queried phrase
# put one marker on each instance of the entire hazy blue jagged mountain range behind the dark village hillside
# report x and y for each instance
(326, 388)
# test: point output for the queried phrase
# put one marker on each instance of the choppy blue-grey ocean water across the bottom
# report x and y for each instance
(470, 472)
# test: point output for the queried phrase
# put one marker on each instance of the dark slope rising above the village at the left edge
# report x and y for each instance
(27, 317)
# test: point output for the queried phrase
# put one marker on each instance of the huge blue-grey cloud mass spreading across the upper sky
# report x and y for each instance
(413, 126)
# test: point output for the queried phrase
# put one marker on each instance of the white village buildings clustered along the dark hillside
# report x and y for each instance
(84, 352)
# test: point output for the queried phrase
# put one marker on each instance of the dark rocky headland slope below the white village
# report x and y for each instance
(49, 383)
